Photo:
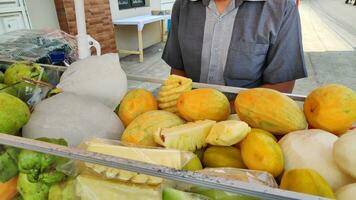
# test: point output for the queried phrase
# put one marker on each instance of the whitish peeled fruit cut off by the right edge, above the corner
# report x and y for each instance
(345, 153)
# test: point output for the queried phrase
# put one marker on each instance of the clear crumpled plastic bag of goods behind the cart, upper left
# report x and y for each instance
(38, 46)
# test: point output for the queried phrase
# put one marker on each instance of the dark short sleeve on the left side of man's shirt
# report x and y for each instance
(172, 52)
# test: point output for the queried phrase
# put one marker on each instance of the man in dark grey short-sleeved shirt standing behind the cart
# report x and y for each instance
(241, 43)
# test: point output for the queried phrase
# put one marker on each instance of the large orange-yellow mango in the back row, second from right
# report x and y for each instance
(269, 110)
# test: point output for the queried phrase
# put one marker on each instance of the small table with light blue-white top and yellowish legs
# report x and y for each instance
(140, 22)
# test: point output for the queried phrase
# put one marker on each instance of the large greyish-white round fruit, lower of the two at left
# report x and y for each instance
(73, 118)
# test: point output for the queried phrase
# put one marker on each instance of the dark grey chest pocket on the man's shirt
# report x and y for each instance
(246, 60)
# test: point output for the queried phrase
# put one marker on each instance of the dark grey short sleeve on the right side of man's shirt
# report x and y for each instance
(285, 58)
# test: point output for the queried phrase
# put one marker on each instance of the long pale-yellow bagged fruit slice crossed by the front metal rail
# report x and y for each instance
(169, 158)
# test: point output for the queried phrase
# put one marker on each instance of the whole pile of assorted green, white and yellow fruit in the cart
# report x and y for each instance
(308, 150)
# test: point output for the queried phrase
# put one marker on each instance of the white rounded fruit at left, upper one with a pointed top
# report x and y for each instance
(98, 77)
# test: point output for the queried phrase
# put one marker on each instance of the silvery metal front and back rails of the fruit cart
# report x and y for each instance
(186, 177)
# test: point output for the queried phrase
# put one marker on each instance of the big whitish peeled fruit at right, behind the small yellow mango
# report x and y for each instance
(313, 149)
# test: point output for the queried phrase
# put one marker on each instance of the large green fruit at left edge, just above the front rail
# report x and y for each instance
(14, 114)
